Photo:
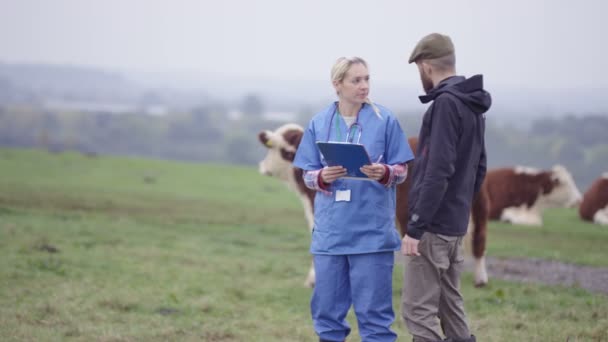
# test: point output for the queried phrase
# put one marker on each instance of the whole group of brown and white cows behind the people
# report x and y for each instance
(516, 195)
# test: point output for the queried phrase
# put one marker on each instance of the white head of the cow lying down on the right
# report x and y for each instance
(562, 191)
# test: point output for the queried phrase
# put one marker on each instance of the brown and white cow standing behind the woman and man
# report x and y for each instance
(282, 144)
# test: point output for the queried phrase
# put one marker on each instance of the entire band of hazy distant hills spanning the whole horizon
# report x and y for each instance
(32, 82)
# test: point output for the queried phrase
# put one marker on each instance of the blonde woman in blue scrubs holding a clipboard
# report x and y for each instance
(354, 236)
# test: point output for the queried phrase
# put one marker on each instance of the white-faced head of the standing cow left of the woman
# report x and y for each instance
(282, 145)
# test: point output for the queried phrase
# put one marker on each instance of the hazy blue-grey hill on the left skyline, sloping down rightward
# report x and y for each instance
(76, 86)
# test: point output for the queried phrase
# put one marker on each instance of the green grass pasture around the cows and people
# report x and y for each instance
(120, 249)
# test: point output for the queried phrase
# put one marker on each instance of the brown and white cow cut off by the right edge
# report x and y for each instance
(594, 207)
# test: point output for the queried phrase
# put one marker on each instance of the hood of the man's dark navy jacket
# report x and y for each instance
(469, 90)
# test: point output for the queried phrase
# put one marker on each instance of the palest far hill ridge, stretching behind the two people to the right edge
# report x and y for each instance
(510, 102)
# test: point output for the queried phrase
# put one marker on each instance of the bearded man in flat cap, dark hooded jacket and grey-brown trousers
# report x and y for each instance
(448, 171)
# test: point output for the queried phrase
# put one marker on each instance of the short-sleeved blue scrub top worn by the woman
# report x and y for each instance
(366, 224)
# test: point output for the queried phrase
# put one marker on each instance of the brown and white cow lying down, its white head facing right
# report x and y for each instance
(519, 195)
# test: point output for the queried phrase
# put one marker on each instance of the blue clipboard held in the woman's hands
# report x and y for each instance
(348, 155)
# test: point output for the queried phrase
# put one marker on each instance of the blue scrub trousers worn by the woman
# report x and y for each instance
(364, 280)
